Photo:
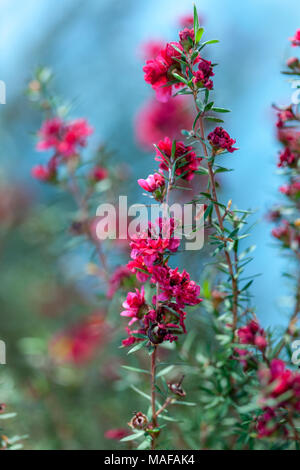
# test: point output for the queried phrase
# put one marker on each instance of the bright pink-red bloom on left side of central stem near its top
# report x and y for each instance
(158, 72)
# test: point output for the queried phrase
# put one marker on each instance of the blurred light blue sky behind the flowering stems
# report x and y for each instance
(92, 46)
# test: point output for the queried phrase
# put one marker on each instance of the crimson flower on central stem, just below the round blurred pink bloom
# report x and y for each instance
(185, 157)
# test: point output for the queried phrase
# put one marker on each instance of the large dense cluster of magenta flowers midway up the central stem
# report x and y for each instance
(164, 315)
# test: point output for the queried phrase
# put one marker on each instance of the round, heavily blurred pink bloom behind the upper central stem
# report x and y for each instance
(156, 119)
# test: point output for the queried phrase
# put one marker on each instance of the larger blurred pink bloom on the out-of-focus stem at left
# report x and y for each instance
(63, 137)
